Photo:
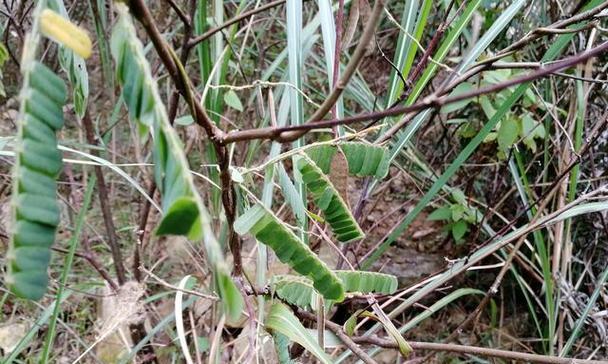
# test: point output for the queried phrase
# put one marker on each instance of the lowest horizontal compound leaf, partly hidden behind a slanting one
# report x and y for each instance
(299, 291)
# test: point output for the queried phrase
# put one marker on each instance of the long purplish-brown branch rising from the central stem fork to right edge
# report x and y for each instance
(432, 101)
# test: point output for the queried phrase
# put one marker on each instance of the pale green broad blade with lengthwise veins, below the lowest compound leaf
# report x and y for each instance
(282, 320)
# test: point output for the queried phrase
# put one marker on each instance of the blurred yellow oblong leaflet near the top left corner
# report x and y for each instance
(66, 33)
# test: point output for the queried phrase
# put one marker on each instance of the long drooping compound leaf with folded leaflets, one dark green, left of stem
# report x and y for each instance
(183, 210)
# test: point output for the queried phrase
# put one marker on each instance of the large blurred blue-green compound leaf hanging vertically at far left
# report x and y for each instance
(35, 211)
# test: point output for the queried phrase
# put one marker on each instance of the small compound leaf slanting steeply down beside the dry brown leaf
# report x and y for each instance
(328, 199)
